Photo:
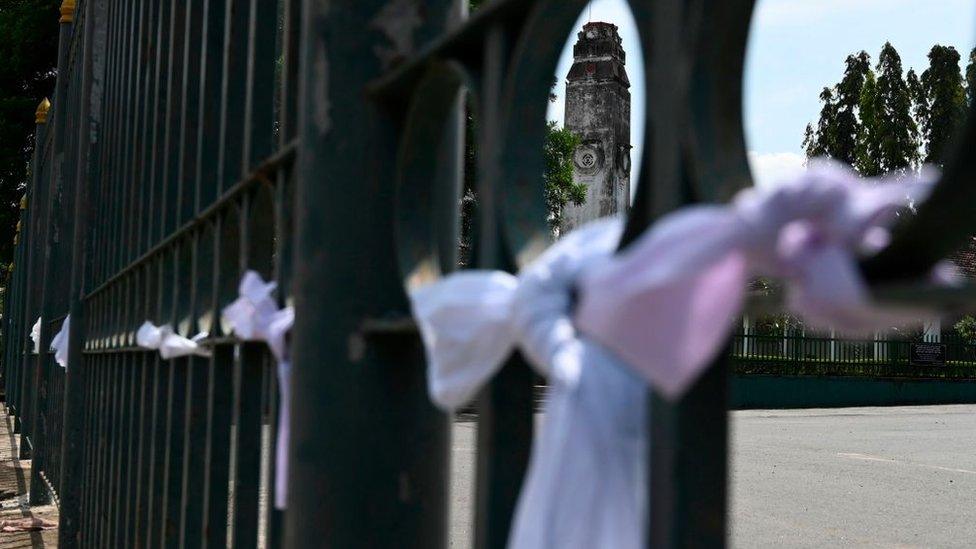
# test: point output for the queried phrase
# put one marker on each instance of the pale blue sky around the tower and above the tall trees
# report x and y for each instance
(796, 48)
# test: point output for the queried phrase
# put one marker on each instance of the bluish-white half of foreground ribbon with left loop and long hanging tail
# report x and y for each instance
(586, 480)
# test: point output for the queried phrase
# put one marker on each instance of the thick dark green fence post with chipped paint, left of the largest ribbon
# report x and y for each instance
(369, 453)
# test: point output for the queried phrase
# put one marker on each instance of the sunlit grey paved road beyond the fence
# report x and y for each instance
(852, 477)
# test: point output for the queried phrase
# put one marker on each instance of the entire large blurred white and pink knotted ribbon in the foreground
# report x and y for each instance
(659, 312)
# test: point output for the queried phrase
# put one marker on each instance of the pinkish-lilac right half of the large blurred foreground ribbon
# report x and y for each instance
(666, 304)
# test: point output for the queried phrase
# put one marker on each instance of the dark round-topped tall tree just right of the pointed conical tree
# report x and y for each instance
(941, 102)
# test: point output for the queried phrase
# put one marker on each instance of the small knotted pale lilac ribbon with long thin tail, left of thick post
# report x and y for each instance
(255, 316)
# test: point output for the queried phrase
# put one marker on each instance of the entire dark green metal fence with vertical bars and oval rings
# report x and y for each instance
(319, 143)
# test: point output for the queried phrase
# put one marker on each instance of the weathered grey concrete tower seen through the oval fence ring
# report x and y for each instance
(598, 110)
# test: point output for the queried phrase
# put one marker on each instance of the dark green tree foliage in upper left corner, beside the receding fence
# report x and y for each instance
(28, 56)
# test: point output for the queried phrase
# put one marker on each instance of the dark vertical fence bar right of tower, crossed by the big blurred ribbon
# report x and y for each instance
(689, 438)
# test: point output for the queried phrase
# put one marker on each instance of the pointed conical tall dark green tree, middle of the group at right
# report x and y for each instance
(896, 132)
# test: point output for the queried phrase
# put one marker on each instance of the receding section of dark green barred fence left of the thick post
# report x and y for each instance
(162, 173)
